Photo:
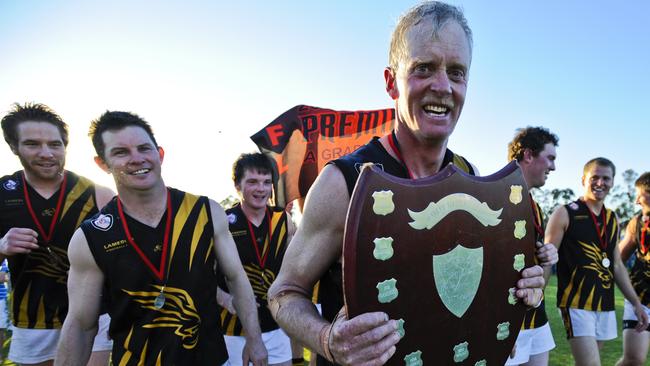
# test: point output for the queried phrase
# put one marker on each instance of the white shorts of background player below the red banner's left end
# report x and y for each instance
(277, 344)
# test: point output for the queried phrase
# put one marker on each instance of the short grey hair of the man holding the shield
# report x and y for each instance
(438, 13)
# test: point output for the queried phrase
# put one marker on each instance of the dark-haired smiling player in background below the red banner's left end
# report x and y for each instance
(262, 233)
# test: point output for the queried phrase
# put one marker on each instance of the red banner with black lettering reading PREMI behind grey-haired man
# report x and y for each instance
(303, 139)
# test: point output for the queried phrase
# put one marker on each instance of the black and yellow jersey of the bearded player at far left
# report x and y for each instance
(39, 279)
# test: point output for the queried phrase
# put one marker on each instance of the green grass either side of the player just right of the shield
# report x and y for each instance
(561, 355)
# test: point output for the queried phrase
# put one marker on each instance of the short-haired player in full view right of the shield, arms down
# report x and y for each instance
(586, 233)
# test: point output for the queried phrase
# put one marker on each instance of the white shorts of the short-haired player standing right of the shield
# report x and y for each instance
(586, 323)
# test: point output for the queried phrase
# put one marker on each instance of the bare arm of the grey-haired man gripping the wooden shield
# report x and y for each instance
(368, 339)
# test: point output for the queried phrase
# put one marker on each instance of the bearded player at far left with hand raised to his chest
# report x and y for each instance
(40, 207)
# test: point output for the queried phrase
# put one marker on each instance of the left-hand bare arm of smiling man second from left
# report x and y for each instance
(85, 282)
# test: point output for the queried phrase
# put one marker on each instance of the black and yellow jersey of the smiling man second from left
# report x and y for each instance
(184, 330)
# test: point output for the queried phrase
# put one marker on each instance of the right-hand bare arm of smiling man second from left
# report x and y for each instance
(240, 288)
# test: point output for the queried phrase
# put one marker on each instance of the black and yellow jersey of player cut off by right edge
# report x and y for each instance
(640, 272)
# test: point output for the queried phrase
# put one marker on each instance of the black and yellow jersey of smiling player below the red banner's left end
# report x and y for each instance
(261, 262)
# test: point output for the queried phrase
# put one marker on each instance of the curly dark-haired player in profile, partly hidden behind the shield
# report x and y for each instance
(534, 150)
